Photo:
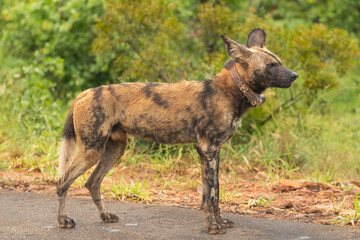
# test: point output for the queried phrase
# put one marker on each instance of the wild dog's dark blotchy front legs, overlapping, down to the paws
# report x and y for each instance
(210, 178)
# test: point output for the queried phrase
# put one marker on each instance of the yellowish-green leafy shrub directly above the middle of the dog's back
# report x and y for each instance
(144, 40)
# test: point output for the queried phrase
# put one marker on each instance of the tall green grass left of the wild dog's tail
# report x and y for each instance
(30, 127)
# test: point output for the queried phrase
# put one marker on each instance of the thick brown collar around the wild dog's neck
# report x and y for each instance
(255, 99)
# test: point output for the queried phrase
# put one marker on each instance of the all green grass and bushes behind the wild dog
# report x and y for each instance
(50, 50)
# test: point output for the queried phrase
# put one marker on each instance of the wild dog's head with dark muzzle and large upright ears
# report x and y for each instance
(263, 68)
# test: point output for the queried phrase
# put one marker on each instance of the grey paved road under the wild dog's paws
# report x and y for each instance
(33, 216)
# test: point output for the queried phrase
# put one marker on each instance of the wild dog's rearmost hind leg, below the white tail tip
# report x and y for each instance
(83, 160)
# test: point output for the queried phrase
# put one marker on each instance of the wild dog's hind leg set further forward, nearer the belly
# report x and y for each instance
(114, 149)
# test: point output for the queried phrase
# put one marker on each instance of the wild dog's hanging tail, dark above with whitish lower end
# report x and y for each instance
(68, 143)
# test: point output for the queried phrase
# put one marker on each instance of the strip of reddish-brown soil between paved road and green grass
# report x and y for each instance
(293, 200)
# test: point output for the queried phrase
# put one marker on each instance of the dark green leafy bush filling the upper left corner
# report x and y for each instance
(54, 37)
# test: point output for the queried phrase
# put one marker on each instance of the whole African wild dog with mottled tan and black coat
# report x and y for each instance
(205, 113)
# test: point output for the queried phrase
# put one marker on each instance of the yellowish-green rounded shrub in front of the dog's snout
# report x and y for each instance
(324, 55)
